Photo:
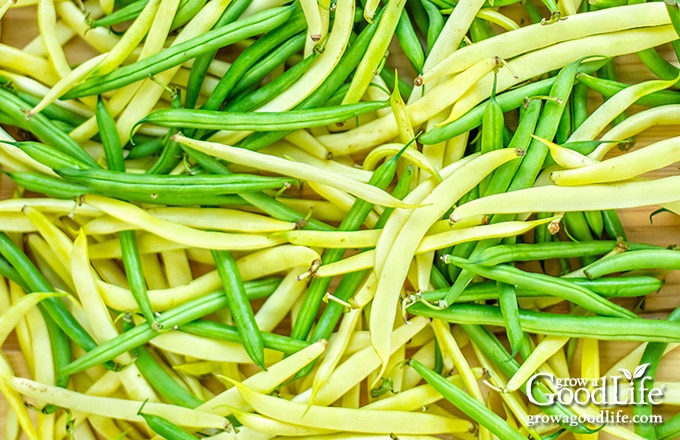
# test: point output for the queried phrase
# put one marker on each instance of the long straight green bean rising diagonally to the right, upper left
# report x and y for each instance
(179, 53)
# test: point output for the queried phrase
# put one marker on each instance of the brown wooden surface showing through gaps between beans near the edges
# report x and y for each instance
(17, 28)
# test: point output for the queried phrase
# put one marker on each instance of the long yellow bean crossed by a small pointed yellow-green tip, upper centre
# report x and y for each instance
(385, 128)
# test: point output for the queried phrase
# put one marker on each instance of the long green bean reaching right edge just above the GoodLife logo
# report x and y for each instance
(597, 327)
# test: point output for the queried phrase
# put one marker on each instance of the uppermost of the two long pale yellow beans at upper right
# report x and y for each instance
(507, 45)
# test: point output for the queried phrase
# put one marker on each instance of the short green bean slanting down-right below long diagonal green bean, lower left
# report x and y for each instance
(158, 377)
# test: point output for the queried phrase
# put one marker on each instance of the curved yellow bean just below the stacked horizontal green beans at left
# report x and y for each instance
(177, 232)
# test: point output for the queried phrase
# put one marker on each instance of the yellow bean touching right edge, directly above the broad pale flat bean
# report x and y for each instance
(626, 166)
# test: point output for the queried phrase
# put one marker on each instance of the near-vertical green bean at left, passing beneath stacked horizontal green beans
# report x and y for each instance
(132, 262)
